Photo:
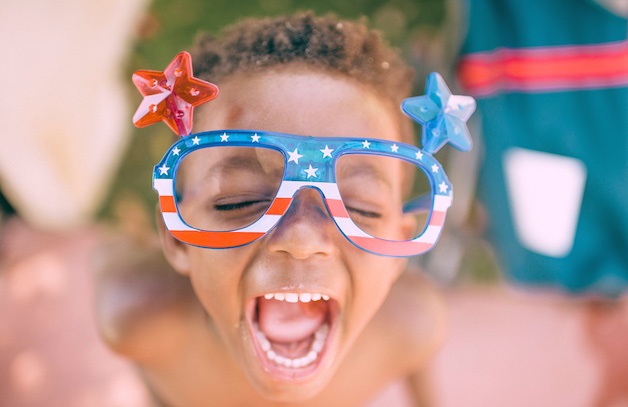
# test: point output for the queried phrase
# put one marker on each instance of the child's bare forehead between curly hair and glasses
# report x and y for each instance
(300, 101)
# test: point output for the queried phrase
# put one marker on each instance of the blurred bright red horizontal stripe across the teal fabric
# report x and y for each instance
(548, 68)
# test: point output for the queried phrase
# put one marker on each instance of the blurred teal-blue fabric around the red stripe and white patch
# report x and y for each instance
(588, 124)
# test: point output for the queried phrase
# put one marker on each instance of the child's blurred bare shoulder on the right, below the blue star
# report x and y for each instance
(414, 318)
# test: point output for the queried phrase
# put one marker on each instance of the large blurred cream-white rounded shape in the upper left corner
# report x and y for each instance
(64, 116)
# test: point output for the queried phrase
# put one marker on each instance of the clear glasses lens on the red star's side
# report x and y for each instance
(227, 188)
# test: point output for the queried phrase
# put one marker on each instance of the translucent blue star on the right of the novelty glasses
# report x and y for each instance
(442, 115)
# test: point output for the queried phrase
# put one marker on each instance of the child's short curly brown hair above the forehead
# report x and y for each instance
(346, 47)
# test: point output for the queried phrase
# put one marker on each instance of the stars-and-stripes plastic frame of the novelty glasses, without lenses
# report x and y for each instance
(300, 152)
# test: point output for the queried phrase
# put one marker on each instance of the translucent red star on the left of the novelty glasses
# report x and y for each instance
(171, 95)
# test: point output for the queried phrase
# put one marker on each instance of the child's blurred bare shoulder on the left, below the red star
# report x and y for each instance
(141, 304)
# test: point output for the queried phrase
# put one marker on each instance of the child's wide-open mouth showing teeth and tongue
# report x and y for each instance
(291, 331)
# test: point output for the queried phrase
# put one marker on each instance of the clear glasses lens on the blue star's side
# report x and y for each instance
(386, 197)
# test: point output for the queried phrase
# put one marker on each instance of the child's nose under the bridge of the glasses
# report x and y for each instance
(306, 229)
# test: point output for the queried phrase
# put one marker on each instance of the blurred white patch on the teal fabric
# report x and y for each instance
(545, 194)
